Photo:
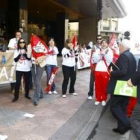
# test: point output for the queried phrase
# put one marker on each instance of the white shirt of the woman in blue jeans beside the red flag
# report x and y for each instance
(51, 59)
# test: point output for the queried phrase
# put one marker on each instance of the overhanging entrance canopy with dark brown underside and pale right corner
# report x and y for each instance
(76, 9)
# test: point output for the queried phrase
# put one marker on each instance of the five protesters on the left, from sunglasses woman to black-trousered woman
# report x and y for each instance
(27, 66)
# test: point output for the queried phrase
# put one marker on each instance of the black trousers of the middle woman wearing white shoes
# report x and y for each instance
(68, 73)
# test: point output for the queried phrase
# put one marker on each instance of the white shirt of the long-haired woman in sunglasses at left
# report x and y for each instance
(22, 64)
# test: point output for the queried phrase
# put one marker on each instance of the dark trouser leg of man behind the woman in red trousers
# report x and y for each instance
(91, 84)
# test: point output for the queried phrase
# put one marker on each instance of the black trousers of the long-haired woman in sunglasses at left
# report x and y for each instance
(19, 75)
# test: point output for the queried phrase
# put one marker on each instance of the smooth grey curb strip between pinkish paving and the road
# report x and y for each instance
(82, 125)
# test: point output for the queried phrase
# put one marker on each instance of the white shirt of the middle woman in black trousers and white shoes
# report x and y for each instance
(68, 59)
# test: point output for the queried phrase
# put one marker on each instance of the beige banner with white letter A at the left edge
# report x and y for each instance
(6, 65)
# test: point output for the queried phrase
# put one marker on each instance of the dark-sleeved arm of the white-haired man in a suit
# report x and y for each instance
(123, 66)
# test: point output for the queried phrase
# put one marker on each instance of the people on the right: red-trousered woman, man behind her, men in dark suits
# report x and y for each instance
(105, 76)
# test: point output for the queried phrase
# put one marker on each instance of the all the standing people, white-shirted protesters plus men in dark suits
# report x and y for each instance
(104, 76)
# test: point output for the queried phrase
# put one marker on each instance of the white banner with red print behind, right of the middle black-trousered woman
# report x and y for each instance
(84, 60)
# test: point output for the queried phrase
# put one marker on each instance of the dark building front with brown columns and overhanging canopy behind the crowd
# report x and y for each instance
(50, 18)
